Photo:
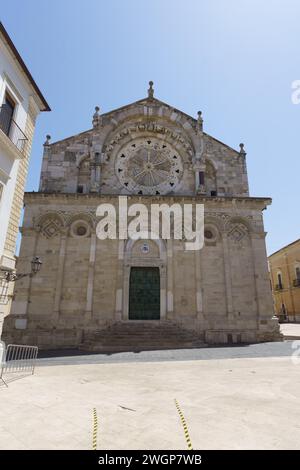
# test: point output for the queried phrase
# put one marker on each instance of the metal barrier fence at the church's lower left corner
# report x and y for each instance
(19, 359)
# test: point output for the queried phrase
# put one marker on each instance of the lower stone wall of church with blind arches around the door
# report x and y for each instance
(222, 290)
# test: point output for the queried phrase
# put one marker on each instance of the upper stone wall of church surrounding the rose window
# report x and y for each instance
(62, 162)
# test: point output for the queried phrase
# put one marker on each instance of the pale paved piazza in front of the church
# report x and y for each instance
(231, 397)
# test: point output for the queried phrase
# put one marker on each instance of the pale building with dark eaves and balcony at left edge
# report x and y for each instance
(20, 103)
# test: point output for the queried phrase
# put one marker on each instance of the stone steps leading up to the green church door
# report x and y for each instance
(140, 336)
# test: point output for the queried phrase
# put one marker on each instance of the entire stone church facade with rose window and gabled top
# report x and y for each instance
(90, 291)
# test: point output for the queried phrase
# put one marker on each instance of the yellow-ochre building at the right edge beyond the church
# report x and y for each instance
(284, 267)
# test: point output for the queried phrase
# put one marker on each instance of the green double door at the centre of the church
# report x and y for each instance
(144, 294)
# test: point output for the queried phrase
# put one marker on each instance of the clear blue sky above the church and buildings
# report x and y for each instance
(235, 60)
